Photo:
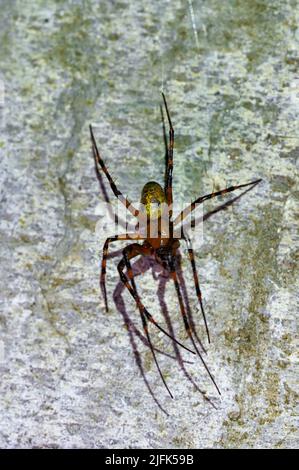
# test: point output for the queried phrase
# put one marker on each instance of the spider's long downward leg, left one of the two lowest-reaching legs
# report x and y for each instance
(128, 253)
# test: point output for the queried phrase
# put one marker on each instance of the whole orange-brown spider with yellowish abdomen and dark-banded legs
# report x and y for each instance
(156, 209)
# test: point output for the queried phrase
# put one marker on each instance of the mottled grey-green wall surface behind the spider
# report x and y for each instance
(230, 71)
